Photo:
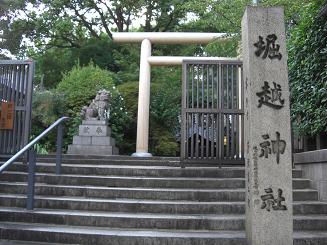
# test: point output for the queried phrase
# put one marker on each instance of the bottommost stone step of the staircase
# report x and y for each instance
(104, 236)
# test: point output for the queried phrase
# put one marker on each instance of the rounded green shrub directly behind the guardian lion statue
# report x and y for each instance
(80, 86)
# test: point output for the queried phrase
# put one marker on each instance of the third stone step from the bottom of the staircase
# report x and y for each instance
(151, 206)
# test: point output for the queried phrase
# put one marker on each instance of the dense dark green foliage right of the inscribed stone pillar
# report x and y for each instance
(308, 71)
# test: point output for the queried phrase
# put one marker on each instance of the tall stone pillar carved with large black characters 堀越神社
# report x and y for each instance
(269, 213)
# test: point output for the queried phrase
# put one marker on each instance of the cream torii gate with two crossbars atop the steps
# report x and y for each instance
(146, 60)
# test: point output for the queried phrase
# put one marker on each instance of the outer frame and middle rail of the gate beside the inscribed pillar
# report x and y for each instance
(219, 111)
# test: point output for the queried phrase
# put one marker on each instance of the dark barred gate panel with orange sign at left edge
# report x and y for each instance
(16, 88)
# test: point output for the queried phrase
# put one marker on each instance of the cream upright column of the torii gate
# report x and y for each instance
(142, 138)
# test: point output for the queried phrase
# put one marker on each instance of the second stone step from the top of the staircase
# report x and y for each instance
(151, 171)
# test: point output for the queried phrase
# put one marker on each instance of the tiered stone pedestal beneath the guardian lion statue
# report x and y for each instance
(93, 139)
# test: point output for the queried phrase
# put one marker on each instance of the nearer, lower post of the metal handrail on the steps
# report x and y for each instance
(31, 179)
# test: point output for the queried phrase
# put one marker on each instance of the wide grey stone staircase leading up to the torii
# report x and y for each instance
(123, 200)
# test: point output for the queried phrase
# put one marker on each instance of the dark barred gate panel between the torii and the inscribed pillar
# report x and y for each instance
(212, 112)
